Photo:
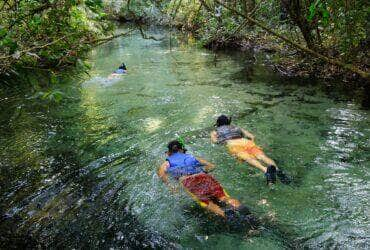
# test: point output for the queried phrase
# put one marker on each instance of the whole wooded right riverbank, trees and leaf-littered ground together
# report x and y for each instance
(327, 51)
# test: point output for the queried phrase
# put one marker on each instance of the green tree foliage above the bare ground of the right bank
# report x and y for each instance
(337, 26)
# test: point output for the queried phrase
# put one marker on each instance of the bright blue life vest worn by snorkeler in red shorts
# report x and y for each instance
(183, 164)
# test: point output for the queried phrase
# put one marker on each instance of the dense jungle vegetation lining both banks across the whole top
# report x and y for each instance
(316, 37)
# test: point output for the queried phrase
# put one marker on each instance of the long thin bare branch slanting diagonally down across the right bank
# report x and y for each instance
(297, 45)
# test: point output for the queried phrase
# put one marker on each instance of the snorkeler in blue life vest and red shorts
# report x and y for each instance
(192, 174)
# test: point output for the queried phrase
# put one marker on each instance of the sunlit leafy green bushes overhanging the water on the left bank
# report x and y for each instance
(48, 34)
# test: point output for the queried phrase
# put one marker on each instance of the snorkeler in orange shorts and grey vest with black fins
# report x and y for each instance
(236, 141)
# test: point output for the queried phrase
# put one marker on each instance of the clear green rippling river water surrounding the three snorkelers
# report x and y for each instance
(82, 174)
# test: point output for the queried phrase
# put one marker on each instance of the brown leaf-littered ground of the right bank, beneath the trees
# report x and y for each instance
(287, 61)
